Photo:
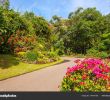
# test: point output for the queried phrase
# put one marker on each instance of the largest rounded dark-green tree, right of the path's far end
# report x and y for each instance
(85, 30)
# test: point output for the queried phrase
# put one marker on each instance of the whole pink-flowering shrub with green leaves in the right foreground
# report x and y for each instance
(88, 75)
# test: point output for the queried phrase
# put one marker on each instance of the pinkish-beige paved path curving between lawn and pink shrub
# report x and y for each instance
(47, 79)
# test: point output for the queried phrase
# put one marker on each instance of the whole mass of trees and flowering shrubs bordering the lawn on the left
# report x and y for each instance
(27, 36)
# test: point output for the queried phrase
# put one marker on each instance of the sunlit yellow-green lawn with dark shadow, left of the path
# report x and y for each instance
(10, 66)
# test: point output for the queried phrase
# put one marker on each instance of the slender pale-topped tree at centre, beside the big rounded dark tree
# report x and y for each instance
(59, 33)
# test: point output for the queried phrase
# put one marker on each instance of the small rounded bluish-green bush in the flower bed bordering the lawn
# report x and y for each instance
(31, 56)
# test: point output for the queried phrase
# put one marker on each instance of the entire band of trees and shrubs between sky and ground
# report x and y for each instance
(34, 39)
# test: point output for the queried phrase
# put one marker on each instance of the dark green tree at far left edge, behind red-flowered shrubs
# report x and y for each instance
(11, 23)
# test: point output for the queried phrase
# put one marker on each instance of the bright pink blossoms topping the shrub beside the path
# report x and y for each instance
(97, 66)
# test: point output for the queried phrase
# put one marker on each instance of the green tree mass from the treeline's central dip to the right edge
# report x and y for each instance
(85, 31)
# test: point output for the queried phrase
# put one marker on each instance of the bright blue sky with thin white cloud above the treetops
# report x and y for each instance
(48, 8)
